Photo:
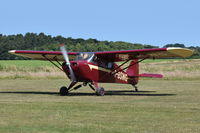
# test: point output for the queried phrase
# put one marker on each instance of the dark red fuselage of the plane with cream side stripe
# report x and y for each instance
(99, 72)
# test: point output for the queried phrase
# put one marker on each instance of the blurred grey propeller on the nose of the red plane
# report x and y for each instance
(66, 57)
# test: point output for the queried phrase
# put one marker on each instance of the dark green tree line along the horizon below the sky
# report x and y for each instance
(33, 41)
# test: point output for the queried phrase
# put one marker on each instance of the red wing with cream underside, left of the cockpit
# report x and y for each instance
(43, 55)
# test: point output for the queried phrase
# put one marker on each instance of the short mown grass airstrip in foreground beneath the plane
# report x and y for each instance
(161, 106)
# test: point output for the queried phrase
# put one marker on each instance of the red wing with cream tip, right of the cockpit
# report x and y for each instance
(155, 53)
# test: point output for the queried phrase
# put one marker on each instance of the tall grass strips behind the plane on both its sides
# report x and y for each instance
(31, 69)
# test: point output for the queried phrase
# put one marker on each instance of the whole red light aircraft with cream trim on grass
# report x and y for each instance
(91, 68)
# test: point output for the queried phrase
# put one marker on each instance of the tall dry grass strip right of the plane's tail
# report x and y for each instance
(178, 69)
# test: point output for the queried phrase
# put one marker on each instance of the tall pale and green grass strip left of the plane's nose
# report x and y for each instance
(29, 69)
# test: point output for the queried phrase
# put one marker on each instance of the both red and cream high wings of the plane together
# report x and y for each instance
(111, 56)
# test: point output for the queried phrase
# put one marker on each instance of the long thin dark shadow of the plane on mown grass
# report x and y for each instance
(107, 93)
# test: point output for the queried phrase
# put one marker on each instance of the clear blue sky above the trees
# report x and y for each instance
(154, 22)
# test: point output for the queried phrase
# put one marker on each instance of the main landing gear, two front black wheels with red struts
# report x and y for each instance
(99, 91)
